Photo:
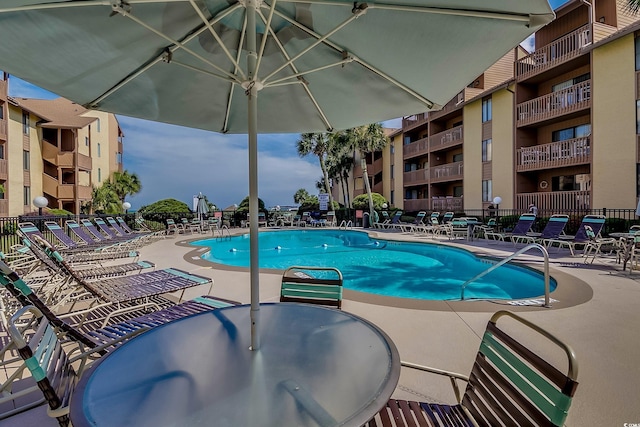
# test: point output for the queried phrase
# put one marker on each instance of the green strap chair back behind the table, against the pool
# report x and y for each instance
(312, 285)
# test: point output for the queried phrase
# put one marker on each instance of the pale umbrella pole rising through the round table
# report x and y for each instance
(252, 95)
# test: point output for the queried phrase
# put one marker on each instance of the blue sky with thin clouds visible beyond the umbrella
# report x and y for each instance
(178, 162)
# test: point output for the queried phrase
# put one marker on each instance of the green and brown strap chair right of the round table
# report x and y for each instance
(510, 384)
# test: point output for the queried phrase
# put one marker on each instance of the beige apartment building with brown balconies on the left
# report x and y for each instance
(53, 148)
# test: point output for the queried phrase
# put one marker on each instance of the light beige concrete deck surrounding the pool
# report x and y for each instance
(597, 313)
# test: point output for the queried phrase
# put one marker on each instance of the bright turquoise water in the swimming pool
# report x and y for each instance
(398, 269)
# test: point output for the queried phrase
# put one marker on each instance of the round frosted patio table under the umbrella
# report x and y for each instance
(316, 366)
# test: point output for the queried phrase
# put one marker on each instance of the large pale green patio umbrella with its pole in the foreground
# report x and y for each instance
(318, 65)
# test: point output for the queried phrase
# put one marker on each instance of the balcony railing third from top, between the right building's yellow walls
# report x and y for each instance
(560, 154)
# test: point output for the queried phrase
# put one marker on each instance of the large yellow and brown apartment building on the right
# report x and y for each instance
(556, 127)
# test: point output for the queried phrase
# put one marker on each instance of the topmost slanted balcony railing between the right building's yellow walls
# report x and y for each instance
(561, 50)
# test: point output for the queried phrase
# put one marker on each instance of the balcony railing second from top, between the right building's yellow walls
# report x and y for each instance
(556, 104)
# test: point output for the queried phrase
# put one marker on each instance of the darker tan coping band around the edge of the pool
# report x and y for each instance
(570, 290)
